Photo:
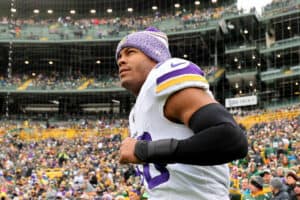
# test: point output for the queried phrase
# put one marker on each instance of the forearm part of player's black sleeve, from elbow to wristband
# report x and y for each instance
(216, 145)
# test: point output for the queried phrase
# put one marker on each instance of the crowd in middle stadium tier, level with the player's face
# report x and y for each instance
(56, 80)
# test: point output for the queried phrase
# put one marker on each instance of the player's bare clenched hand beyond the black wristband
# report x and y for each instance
(127, 151)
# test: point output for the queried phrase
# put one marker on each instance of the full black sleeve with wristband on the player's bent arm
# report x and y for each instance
(217, 140)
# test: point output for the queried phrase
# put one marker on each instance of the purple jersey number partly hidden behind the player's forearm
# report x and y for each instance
(164, 173)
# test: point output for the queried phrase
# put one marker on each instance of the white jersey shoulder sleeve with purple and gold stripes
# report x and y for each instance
(176, 74)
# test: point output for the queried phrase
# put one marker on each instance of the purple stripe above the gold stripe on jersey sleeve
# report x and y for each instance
(190, 69)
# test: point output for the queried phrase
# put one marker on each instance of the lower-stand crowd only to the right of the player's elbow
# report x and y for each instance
(271, 169)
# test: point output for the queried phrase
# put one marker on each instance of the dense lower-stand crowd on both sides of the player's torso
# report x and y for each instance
(86, 166)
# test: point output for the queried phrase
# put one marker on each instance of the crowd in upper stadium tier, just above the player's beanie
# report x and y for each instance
(70, 27)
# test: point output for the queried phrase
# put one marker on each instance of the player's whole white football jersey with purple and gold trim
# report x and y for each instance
(147, 122)
